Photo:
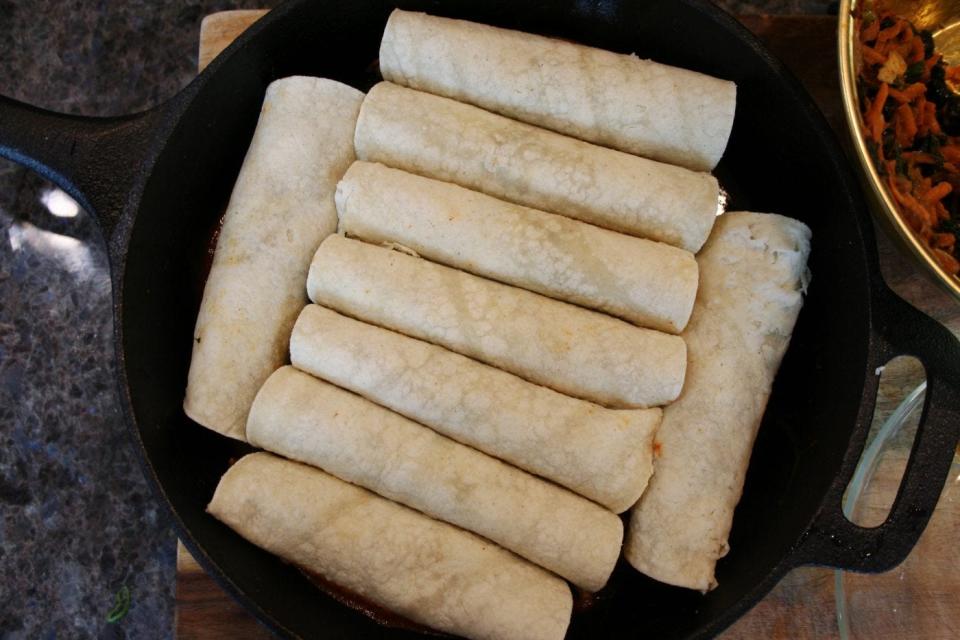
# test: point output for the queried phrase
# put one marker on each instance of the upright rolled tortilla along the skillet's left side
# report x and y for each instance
(281, 208)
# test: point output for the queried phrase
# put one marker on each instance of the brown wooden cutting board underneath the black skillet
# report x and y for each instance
(802, 606)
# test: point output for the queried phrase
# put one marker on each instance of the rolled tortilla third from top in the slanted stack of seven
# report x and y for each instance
(648, 283)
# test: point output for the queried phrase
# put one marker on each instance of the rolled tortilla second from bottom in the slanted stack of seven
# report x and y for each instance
(306, 419)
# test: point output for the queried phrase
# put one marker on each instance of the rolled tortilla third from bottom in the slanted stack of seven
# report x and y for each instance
(602, 454)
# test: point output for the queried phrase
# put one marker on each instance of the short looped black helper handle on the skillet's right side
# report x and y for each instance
(899, 329)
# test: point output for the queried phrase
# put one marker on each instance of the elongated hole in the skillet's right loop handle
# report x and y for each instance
(873, 487)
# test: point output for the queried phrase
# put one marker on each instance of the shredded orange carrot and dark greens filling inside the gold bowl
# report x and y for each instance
(911, 119)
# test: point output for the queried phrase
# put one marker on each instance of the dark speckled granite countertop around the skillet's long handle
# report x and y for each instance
(77, 521)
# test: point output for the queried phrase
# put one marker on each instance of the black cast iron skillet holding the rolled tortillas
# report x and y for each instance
(158, 181)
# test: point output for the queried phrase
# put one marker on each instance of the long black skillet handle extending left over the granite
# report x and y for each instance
(96, 160)
